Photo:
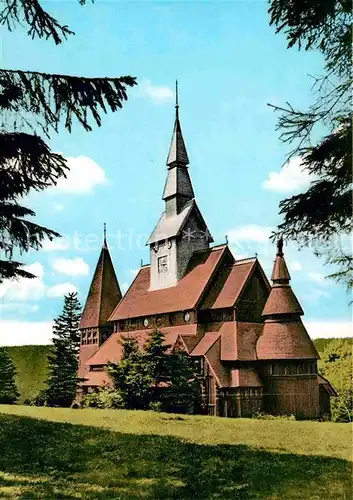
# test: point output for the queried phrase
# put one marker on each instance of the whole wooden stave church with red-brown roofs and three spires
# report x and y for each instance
(247, 336)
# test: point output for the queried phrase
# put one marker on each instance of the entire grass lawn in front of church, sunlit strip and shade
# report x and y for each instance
(97, 454)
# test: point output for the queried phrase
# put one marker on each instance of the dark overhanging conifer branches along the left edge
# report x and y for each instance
(34, 103)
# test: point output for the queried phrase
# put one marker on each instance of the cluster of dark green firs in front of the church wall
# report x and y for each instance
(156, 376)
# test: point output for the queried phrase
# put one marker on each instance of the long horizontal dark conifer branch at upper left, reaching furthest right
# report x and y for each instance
(50, 99)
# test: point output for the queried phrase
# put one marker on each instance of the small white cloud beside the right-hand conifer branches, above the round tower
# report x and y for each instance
(290, 178)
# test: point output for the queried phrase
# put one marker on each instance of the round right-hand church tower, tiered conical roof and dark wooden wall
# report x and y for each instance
(287, 353)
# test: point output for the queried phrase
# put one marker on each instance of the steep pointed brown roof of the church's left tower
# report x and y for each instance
(104, 293)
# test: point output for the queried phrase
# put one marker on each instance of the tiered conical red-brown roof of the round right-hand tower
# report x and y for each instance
(284, 336)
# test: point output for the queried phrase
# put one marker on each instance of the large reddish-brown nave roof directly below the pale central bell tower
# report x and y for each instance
(140, 301)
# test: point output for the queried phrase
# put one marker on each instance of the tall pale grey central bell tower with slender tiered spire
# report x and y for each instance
(181, 230)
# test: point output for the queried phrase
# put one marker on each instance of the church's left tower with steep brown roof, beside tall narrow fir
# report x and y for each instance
(103, 296)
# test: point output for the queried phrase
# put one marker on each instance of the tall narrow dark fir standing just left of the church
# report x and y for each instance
(63, 360)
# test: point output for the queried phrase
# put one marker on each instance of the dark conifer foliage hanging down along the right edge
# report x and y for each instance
(321, 136)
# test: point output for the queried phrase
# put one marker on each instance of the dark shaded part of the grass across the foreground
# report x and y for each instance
(43, 459)
